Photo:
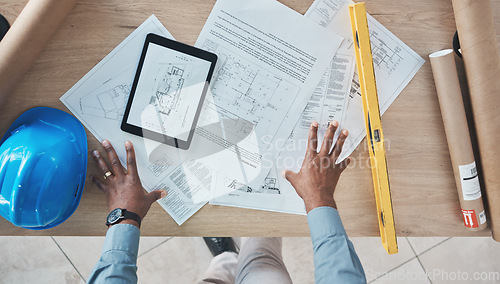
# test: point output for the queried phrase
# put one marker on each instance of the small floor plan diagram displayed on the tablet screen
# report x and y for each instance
(169, 82)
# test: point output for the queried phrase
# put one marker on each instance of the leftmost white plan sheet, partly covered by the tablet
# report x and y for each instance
(98, 100)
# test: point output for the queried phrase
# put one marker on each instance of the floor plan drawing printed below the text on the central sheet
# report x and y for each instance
(246, 93)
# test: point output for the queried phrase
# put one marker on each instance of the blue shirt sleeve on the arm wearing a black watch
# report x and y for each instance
(119, 256)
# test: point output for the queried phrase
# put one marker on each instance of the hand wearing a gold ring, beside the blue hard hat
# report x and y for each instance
(123, 188)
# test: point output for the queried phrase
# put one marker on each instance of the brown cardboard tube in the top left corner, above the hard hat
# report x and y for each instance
(27, 37)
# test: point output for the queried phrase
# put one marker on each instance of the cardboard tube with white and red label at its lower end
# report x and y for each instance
(457, 135)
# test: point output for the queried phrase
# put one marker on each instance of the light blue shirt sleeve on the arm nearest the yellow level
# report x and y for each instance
(335, 260)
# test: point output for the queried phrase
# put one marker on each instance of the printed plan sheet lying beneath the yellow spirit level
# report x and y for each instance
(395, 65)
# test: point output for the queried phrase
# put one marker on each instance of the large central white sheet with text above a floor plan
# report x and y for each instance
(263, 80)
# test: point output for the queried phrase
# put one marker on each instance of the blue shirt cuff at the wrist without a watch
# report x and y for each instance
(325, 221)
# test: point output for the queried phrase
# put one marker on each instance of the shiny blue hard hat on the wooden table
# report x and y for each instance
(43, 165)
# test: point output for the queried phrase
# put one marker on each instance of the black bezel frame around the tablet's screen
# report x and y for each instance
(189, 50)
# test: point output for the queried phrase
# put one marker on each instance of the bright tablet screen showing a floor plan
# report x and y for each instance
(168, 92)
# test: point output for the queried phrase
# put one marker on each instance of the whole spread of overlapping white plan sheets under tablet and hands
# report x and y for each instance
(274, 76)
